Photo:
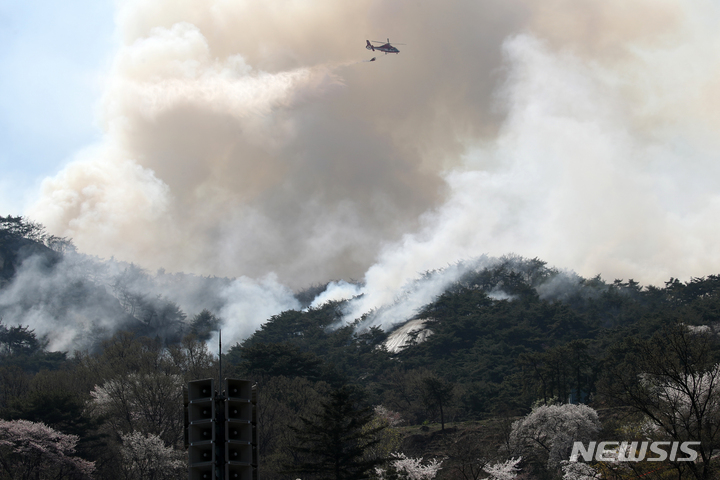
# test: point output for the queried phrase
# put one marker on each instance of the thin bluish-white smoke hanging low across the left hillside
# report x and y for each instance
(75, 301)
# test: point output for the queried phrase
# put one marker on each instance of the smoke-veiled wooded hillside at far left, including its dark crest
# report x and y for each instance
(46, 283)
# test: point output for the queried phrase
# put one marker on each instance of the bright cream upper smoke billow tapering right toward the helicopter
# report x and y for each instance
(174, 67)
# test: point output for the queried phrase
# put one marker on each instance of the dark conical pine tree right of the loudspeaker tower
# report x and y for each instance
(335, 441)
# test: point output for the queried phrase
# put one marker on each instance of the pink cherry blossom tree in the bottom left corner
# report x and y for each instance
(34, 450)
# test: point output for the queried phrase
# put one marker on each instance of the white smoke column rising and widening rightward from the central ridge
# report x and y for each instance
(573, 178)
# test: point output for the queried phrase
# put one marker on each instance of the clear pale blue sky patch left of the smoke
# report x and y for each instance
(53, 56)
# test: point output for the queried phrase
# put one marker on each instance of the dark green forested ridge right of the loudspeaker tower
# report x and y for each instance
(493, 359)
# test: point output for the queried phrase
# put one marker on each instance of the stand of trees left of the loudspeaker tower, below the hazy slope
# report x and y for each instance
(120, 410)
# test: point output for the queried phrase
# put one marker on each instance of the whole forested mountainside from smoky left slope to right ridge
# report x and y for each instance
(503, 338)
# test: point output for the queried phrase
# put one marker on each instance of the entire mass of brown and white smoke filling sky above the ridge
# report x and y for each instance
(242, 139)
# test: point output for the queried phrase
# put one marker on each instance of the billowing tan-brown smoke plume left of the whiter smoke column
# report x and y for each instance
(245, 138)
